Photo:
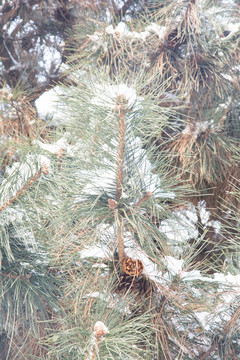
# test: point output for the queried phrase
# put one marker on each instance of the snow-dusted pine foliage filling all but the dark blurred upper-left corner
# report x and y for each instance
(120, 217)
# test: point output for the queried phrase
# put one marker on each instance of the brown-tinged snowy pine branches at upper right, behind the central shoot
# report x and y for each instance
(196, 60)
